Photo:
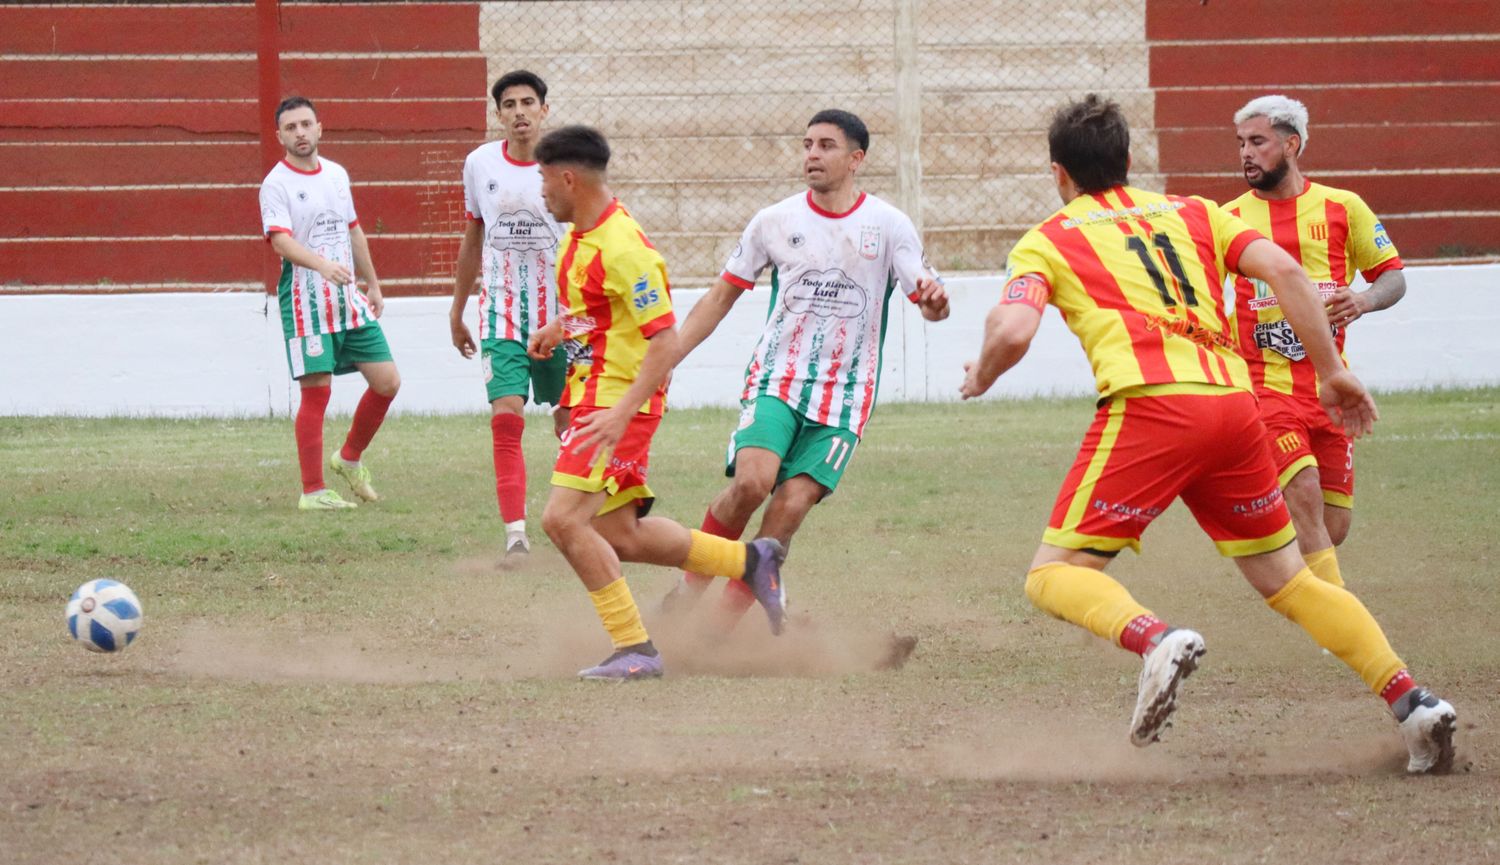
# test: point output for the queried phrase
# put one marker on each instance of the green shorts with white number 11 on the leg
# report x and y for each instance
(806, 449)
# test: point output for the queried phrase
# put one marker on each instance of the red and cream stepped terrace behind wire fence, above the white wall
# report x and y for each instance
(134, 136)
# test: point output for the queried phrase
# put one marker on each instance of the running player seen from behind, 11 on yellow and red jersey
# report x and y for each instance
(1138, 278)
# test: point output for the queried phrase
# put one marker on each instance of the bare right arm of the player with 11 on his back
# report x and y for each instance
(1343, 397)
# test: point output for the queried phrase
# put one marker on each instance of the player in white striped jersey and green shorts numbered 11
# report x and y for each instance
(836, 254)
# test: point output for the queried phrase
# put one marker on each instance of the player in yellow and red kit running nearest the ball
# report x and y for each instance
(622, 341)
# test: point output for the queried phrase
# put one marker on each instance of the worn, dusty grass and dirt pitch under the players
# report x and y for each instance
(367, 687)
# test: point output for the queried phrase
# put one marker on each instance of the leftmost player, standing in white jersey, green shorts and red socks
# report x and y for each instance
(331, 328)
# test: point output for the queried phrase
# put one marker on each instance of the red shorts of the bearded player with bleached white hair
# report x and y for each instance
(1301, 435)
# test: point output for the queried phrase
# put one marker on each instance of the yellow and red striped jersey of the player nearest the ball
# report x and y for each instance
(614, 293)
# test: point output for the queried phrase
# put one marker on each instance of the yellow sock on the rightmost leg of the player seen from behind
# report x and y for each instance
(1340, 624)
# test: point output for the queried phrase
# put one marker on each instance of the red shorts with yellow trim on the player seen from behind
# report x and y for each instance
(1144, 452)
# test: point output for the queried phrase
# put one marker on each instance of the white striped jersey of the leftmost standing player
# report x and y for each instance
(317, 211)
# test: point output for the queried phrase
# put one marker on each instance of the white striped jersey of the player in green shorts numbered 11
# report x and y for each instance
(832, 277)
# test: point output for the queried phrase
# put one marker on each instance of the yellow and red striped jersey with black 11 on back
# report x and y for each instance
(1139, 278)
